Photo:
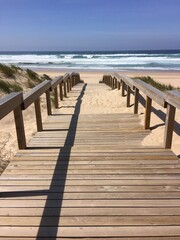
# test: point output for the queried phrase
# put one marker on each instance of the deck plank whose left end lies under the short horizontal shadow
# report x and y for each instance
(43, 195)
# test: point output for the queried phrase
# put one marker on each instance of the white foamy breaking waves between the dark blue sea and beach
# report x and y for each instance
(94, 61)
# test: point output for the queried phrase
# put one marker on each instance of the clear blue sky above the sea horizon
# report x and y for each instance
(53, 25)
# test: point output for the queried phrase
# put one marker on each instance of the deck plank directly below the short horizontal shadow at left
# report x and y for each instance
(156, 203)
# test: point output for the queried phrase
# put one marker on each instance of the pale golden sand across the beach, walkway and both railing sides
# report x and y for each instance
(103, 100)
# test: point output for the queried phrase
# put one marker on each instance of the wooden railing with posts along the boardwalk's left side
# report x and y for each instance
(17, 102)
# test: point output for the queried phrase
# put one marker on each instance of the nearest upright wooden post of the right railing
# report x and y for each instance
(169, 124)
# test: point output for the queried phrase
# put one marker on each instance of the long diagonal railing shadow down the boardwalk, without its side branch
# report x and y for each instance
(53, 228)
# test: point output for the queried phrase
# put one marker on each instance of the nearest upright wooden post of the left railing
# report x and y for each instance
(19, 123)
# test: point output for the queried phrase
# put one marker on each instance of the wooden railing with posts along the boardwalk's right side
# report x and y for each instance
(169, 100)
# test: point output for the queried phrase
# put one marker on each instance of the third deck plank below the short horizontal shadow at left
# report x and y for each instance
(92, 221)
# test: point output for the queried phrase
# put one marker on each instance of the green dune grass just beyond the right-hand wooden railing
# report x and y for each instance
(149, 80)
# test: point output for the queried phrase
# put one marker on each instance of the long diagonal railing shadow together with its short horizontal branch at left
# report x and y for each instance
(56, 190)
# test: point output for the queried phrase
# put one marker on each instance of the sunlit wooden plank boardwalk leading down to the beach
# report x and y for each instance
(89, 177)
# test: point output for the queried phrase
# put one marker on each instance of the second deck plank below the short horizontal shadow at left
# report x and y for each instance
(112, 211)
